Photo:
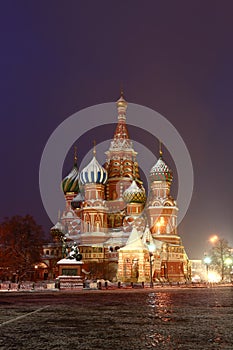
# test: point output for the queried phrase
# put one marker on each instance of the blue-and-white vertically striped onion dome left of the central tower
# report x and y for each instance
(93, 173)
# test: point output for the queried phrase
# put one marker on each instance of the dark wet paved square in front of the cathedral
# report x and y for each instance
(141, 319)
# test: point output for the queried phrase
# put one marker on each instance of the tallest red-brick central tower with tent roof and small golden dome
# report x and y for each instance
(121, 166)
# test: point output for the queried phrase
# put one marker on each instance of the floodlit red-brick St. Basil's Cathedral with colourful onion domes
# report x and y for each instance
(122, 234)
